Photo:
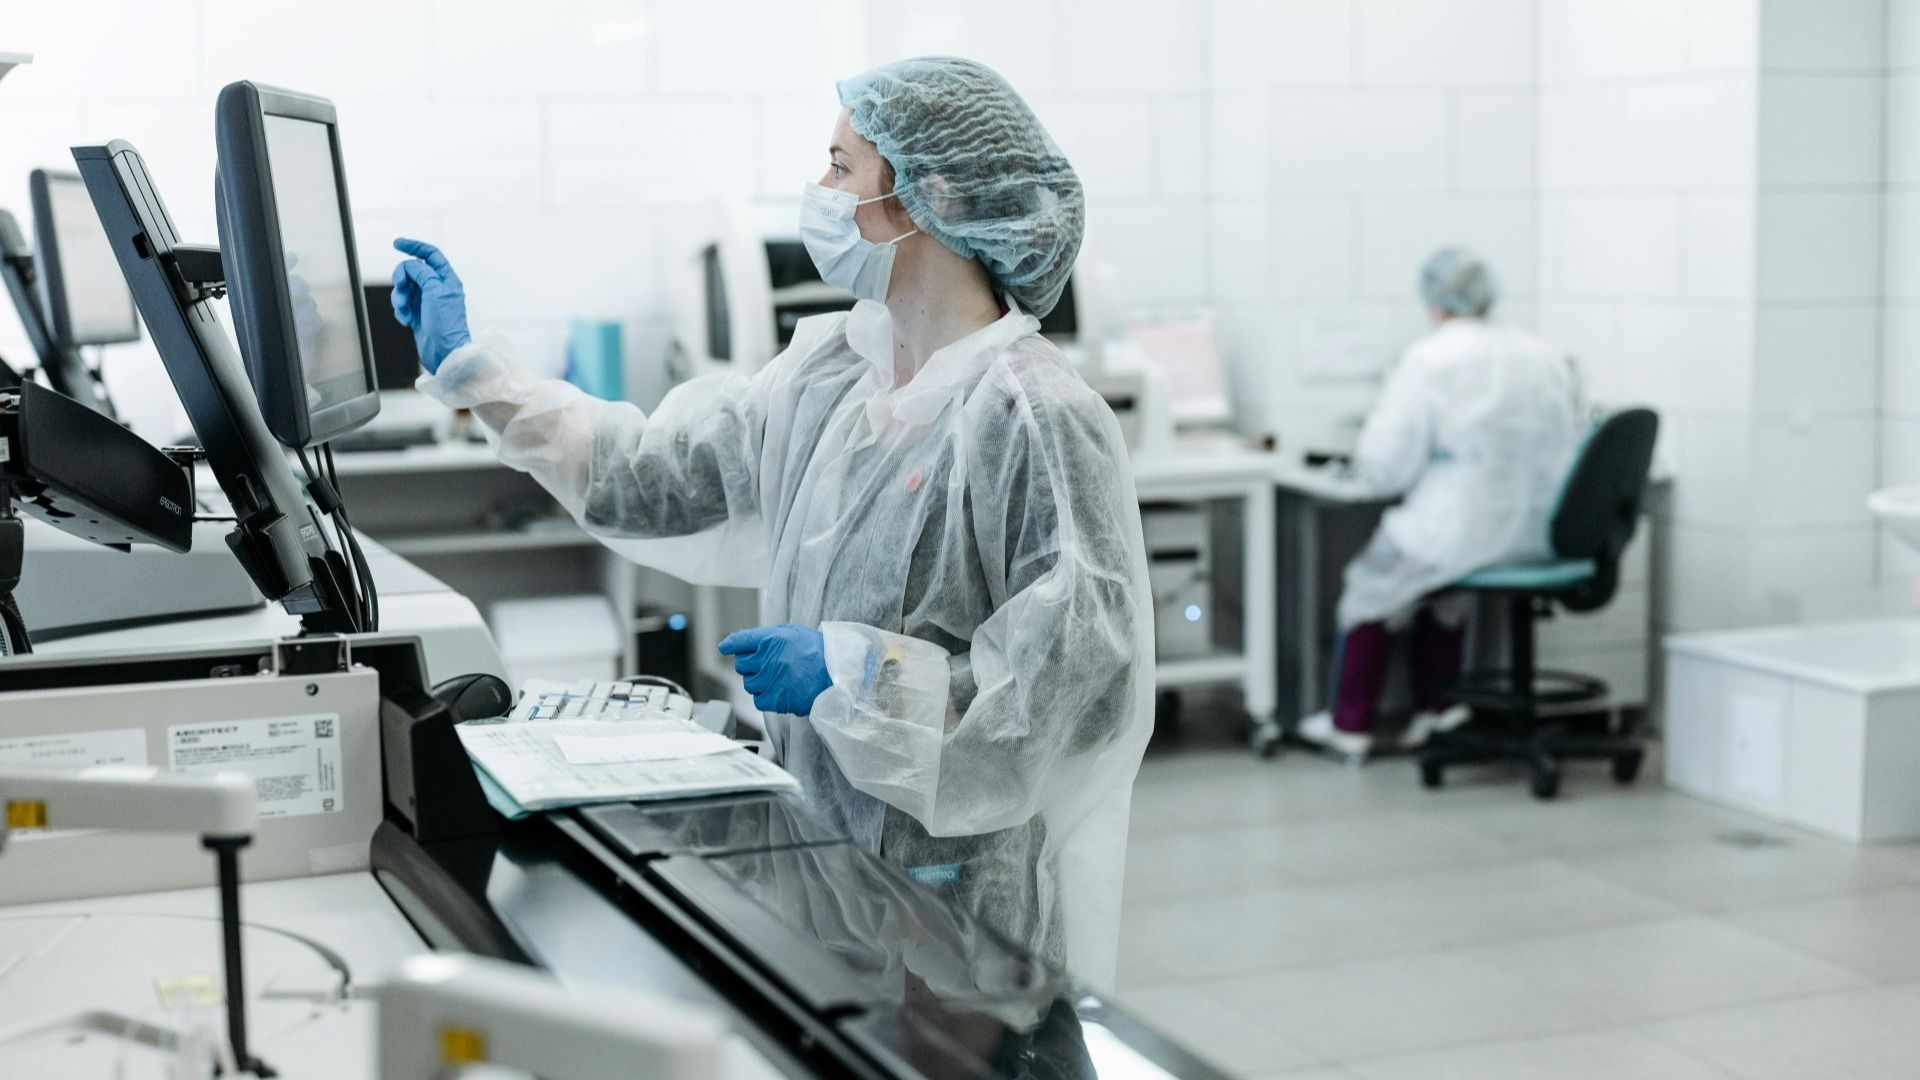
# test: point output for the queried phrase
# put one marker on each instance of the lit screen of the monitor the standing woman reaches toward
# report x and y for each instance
(318, 260)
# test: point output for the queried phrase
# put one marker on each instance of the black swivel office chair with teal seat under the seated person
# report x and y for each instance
(1593, 524)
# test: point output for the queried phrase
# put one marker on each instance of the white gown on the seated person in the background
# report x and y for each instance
(1479, 428)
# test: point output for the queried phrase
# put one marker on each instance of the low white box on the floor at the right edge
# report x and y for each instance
(1812, 725)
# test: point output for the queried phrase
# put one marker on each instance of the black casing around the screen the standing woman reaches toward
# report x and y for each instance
(254, 258)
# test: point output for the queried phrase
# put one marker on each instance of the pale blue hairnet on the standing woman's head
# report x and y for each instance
(976, 170)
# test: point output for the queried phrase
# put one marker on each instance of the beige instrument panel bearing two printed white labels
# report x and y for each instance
(310, 739)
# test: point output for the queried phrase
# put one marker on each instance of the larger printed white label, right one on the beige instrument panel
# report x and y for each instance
(295, 762)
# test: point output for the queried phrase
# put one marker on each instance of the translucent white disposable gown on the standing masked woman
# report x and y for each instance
(971, 549)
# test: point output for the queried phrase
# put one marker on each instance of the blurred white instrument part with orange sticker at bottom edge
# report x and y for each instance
(448, 1012)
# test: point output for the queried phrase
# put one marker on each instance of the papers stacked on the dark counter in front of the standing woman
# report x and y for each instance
(531, 766)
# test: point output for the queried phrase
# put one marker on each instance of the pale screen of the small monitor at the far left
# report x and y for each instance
(82, 287)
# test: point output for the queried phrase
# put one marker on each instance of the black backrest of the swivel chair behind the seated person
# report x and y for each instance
(1600, 506)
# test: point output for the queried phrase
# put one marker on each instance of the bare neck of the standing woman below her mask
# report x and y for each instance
(936, 299)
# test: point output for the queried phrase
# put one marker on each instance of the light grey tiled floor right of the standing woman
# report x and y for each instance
(1305, 920)
